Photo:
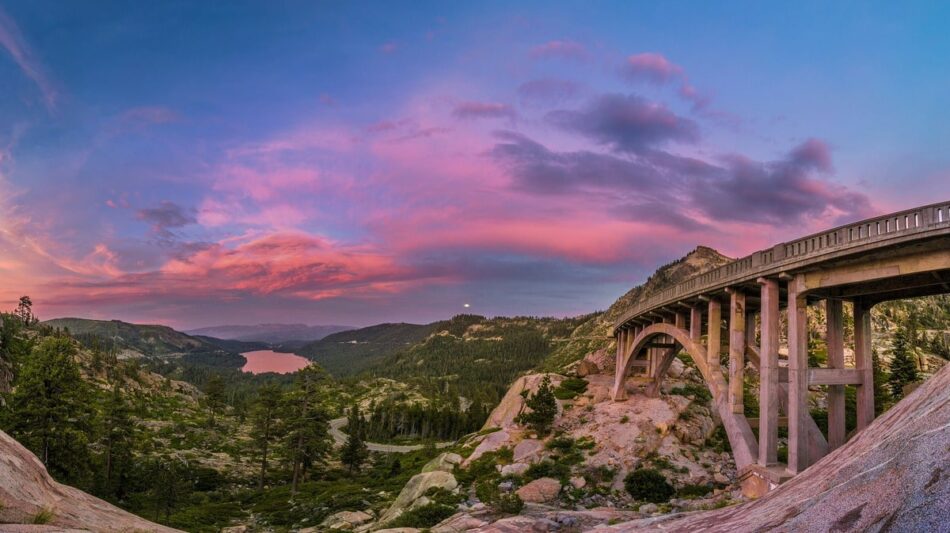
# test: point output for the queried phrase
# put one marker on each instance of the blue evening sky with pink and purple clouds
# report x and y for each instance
(205, 163)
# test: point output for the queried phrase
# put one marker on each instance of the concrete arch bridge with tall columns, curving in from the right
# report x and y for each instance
(736, 308)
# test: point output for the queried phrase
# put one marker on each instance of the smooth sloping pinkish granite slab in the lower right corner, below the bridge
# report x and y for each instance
(893, 476)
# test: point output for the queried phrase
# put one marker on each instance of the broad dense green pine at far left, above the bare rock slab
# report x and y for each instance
(50, 413)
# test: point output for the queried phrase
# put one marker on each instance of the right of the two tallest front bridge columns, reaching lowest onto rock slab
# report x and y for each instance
(797, 377)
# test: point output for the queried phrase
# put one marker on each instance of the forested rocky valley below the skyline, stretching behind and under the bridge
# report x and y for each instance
(435, 410)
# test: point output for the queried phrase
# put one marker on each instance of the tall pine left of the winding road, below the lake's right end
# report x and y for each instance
(307, 423)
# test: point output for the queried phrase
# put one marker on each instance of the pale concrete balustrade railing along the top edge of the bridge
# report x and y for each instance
(884, 227)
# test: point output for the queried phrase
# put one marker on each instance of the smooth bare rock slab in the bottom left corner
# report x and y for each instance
(27, 490)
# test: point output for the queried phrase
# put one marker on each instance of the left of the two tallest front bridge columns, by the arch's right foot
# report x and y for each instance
(768, 373)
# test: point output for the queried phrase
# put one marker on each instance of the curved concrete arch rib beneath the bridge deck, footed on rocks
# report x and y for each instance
(737, 428)
